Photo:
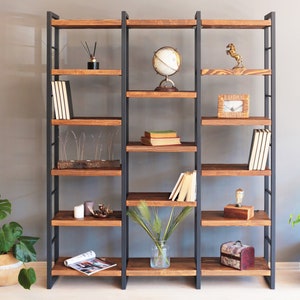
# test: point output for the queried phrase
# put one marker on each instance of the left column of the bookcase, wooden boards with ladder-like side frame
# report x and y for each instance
(57, 218)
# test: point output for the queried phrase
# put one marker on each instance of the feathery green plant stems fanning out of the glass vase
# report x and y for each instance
(149, 220)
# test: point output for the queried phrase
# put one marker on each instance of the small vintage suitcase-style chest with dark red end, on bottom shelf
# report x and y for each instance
(237, 255)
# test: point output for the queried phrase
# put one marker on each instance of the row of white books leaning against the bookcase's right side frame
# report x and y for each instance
(259, 150)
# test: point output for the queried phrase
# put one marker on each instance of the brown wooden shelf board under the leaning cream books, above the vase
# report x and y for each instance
(156, 199)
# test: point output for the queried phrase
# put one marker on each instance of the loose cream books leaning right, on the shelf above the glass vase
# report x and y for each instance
(185, 187)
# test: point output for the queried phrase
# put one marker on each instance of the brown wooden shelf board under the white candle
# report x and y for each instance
(66, 218)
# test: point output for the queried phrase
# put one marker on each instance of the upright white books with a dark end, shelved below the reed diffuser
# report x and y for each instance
(62, 99)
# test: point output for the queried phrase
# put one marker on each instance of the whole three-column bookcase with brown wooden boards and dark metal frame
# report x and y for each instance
(127, 266)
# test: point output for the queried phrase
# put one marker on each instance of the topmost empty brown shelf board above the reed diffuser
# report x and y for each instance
(86, 24)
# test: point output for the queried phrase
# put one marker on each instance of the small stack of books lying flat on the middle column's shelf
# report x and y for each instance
(160, 138)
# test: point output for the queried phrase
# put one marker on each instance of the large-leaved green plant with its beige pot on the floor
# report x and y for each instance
(14, 245)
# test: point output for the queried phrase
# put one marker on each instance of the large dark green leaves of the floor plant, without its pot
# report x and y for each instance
(22, 247)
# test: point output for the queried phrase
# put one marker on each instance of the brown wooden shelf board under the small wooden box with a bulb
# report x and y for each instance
(216, 218)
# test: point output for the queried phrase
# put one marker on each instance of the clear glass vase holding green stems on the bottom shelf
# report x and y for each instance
(160, 256)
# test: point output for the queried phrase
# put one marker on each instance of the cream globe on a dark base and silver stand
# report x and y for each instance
(166, 62)
